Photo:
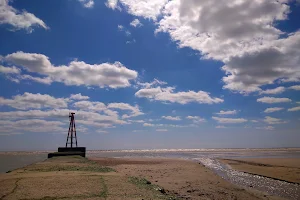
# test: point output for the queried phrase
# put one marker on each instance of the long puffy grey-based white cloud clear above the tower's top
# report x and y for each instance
(77, 72)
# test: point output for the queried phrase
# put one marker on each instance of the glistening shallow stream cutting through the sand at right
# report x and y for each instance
(271, 186)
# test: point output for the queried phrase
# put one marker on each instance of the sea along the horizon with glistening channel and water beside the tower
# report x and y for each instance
(208, 157)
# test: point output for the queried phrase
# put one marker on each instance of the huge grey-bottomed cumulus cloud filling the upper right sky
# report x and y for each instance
(254, 51)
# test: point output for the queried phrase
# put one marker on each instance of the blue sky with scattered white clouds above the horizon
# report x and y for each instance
(150, 74)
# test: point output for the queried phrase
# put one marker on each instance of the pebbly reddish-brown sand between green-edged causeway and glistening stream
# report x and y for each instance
(181, 178)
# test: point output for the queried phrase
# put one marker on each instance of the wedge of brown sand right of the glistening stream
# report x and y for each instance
(287, 169)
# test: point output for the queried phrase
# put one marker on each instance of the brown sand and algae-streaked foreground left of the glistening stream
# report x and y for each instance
(109, 178)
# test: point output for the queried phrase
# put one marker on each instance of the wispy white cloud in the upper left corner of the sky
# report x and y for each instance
(17, 19)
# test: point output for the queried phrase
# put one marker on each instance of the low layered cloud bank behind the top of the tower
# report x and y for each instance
(45, 107)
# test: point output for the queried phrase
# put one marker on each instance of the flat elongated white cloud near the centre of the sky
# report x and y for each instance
(167, 94)
